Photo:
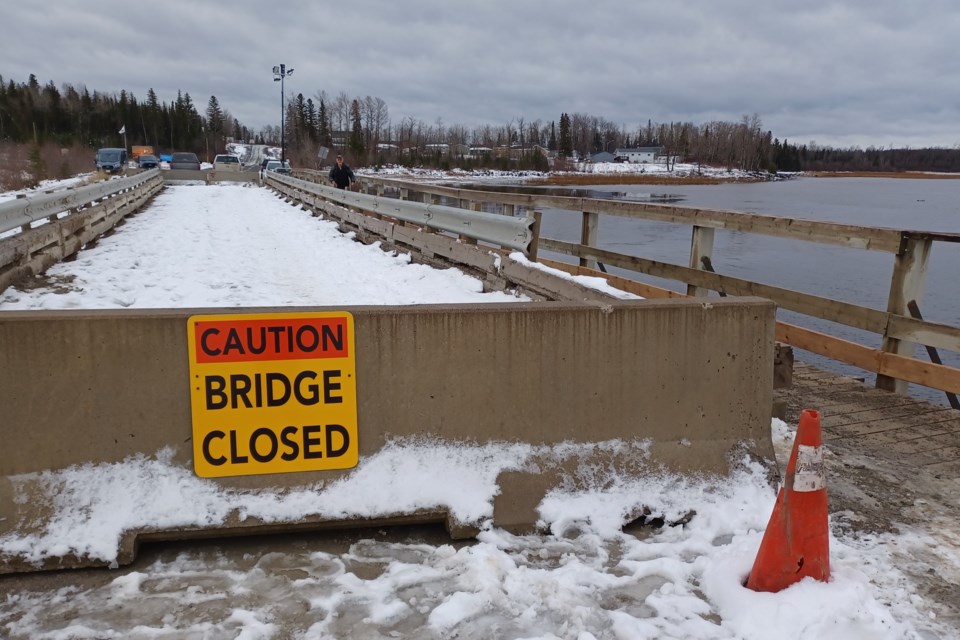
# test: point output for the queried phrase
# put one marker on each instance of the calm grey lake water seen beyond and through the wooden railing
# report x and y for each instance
(852, 275)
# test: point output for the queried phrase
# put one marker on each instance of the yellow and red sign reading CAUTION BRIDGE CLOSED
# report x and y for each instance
(272, 393)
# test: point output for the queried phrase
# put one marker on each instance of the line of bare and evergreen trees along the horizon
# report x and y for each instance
(362, 128)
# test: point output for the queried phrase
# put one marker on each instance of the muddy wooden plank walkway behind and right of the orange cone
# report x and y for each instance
(893, 467)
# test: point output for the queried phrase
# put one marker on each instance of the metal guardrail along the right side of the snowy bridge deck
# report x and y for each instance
(505, 231)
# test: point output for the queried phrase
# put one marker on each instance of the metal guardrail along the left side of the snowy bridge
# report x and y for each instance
(23, 211)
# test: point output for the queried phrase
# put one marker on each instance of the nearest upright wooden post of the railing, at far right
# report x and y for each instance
(908, 282)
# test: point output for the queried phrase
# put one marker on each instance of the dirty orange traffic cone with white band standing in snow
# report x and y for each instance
(796, 543)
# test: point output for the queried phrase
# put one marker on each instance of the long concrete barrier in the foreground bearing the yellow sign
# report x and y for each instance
(692, 379)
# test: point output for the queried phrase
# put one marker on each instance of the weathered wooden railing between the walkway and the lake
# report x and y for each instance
(900, 330)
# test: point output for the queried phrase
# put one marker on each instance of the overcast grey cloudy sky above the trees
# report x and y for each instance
(859, 72)
